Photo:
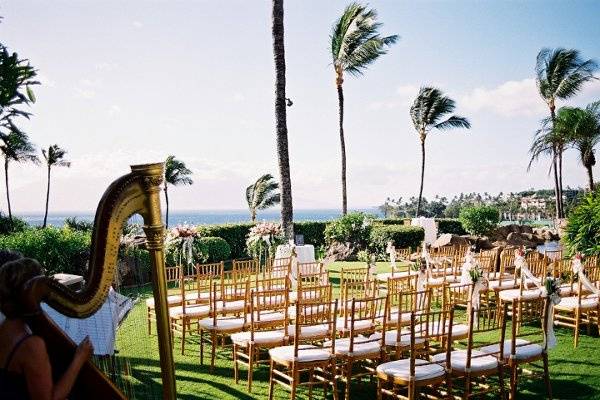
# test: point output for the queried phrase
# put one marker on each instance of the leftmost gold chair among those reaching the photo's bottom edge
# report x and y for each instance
(312, 323)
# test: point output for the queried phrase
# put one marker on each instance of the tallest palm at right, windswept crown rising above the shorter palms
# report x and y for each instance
(560, 74)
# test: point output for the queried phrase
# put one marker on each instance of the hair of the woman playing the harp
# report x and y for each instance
(13, 276)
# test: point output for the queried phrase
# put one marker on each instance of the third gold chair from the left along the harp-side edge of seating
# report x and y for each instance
(229, 300)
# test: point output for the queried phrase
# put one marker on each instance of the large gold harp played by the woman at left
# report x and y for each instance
(134, 193)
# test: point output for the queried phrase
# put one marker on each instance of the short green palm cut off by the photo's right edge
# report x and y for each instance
(582, 127)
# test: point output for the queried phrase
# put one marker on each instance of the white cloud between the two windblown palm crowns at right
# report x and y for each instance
(509, 99)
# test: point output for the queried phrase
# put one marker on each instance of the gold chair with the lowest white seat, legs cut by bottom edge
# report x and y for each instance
(410, 377)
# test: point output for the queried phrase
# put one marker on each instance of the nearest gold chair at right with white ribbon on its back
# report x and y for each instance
(525, 347)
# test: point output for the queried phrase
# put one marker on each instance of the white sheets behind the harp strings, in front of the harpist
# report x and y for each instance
(100, 327)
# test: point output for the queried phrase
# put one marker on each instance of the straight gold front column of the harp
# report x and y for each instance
(155, 232)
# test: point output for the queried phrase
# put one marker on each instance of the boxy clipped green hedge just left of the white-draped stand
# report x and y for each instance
(402, 236)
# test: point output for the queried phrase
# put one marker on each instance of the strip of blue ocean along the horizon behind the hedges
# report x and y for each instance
(201, 216)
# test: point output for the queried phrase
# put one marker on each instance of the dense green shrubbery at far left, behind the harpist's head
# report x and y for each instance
(57, 249)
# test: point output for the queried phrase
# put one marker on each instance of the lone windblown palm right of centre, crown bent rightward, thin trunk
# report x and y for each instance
(428, 112)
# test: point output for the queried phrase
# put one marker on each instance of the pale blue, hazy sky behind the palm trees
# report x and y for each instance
(132, 82)
